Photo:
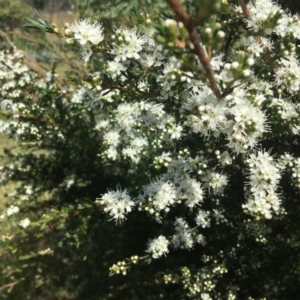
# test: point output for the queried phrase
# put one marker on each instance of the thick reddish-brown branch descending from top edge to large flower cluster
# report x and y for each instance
(183, 16)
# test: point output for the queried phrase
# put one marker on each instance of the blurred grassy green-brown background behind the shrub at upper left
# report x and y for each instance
(45, 50)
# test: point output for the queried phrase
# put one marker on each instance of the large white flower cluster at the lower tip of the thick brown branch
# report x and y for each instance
(210, 116)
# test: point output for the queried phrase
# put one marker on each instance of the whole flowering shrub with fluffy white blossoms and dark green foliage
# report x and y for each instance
(178, 149)
